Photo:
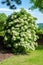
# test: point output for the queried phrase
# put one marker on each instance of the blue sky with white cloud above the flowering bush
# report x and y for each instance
(25, 4)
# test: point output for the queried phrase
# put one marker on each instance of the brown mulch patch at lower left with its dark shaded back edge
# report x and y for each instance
(4, 54)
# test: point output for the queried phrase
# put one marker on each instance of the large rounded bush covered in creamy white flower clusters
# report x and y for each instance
(20, 30)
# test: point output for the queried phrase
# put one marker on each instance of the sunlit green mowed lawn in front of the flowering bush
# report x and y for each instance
(33, 58)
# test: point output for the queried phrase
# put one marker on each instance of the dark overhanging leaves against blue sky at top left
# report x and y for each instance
(11, 3)
